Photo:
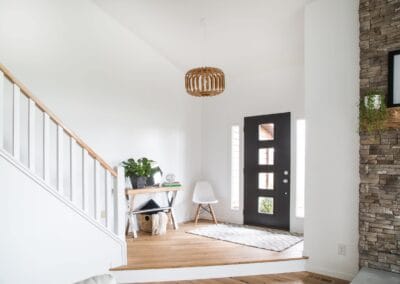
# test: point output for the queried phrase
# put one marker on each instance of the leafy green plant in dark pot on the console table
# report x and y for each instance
(138, 171)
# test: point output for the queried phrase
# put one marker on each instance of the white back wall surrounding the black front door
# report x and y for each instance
(275, 89)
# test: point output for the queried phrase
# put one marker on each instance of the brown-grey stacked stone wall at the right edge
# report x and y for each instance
(379, 227)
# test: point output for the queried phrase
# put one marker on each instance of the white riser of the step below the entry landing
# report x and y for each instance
(207, 272)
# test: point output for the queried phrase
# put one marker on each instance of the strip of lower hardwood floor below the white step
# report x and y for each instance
(284, 278)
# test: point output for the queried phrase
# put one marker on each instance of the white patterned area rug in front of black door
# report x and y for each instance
(269, 239)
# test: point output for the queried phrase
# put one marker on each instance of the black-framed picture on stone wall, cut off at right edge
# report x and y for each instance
(394, 79)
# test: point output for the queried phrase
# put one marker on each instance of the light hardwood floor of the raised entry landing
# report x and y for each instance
(179, 249)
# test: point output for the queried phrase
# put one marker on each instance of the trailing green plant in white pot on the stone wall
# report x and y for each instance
(373, 112)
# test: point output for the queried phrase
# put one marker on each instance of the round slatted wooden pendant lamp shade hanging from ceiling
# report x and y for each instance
(205, 81)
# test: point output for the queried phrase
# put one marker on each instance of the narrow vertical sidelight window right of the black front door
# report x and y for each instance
(300, 166)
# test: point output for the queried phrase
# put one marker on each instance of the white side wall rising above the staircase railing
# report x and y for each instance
(115, 91)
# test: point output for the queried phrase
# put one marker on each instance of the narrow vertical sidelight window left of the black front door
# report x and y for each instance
(235, 167)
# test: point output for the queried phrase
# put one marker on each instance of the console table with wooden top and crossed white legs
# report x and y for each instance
(170, 193)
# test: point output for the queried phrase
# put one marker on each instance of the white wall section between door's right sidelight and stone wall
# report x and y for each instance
(331, 92)
